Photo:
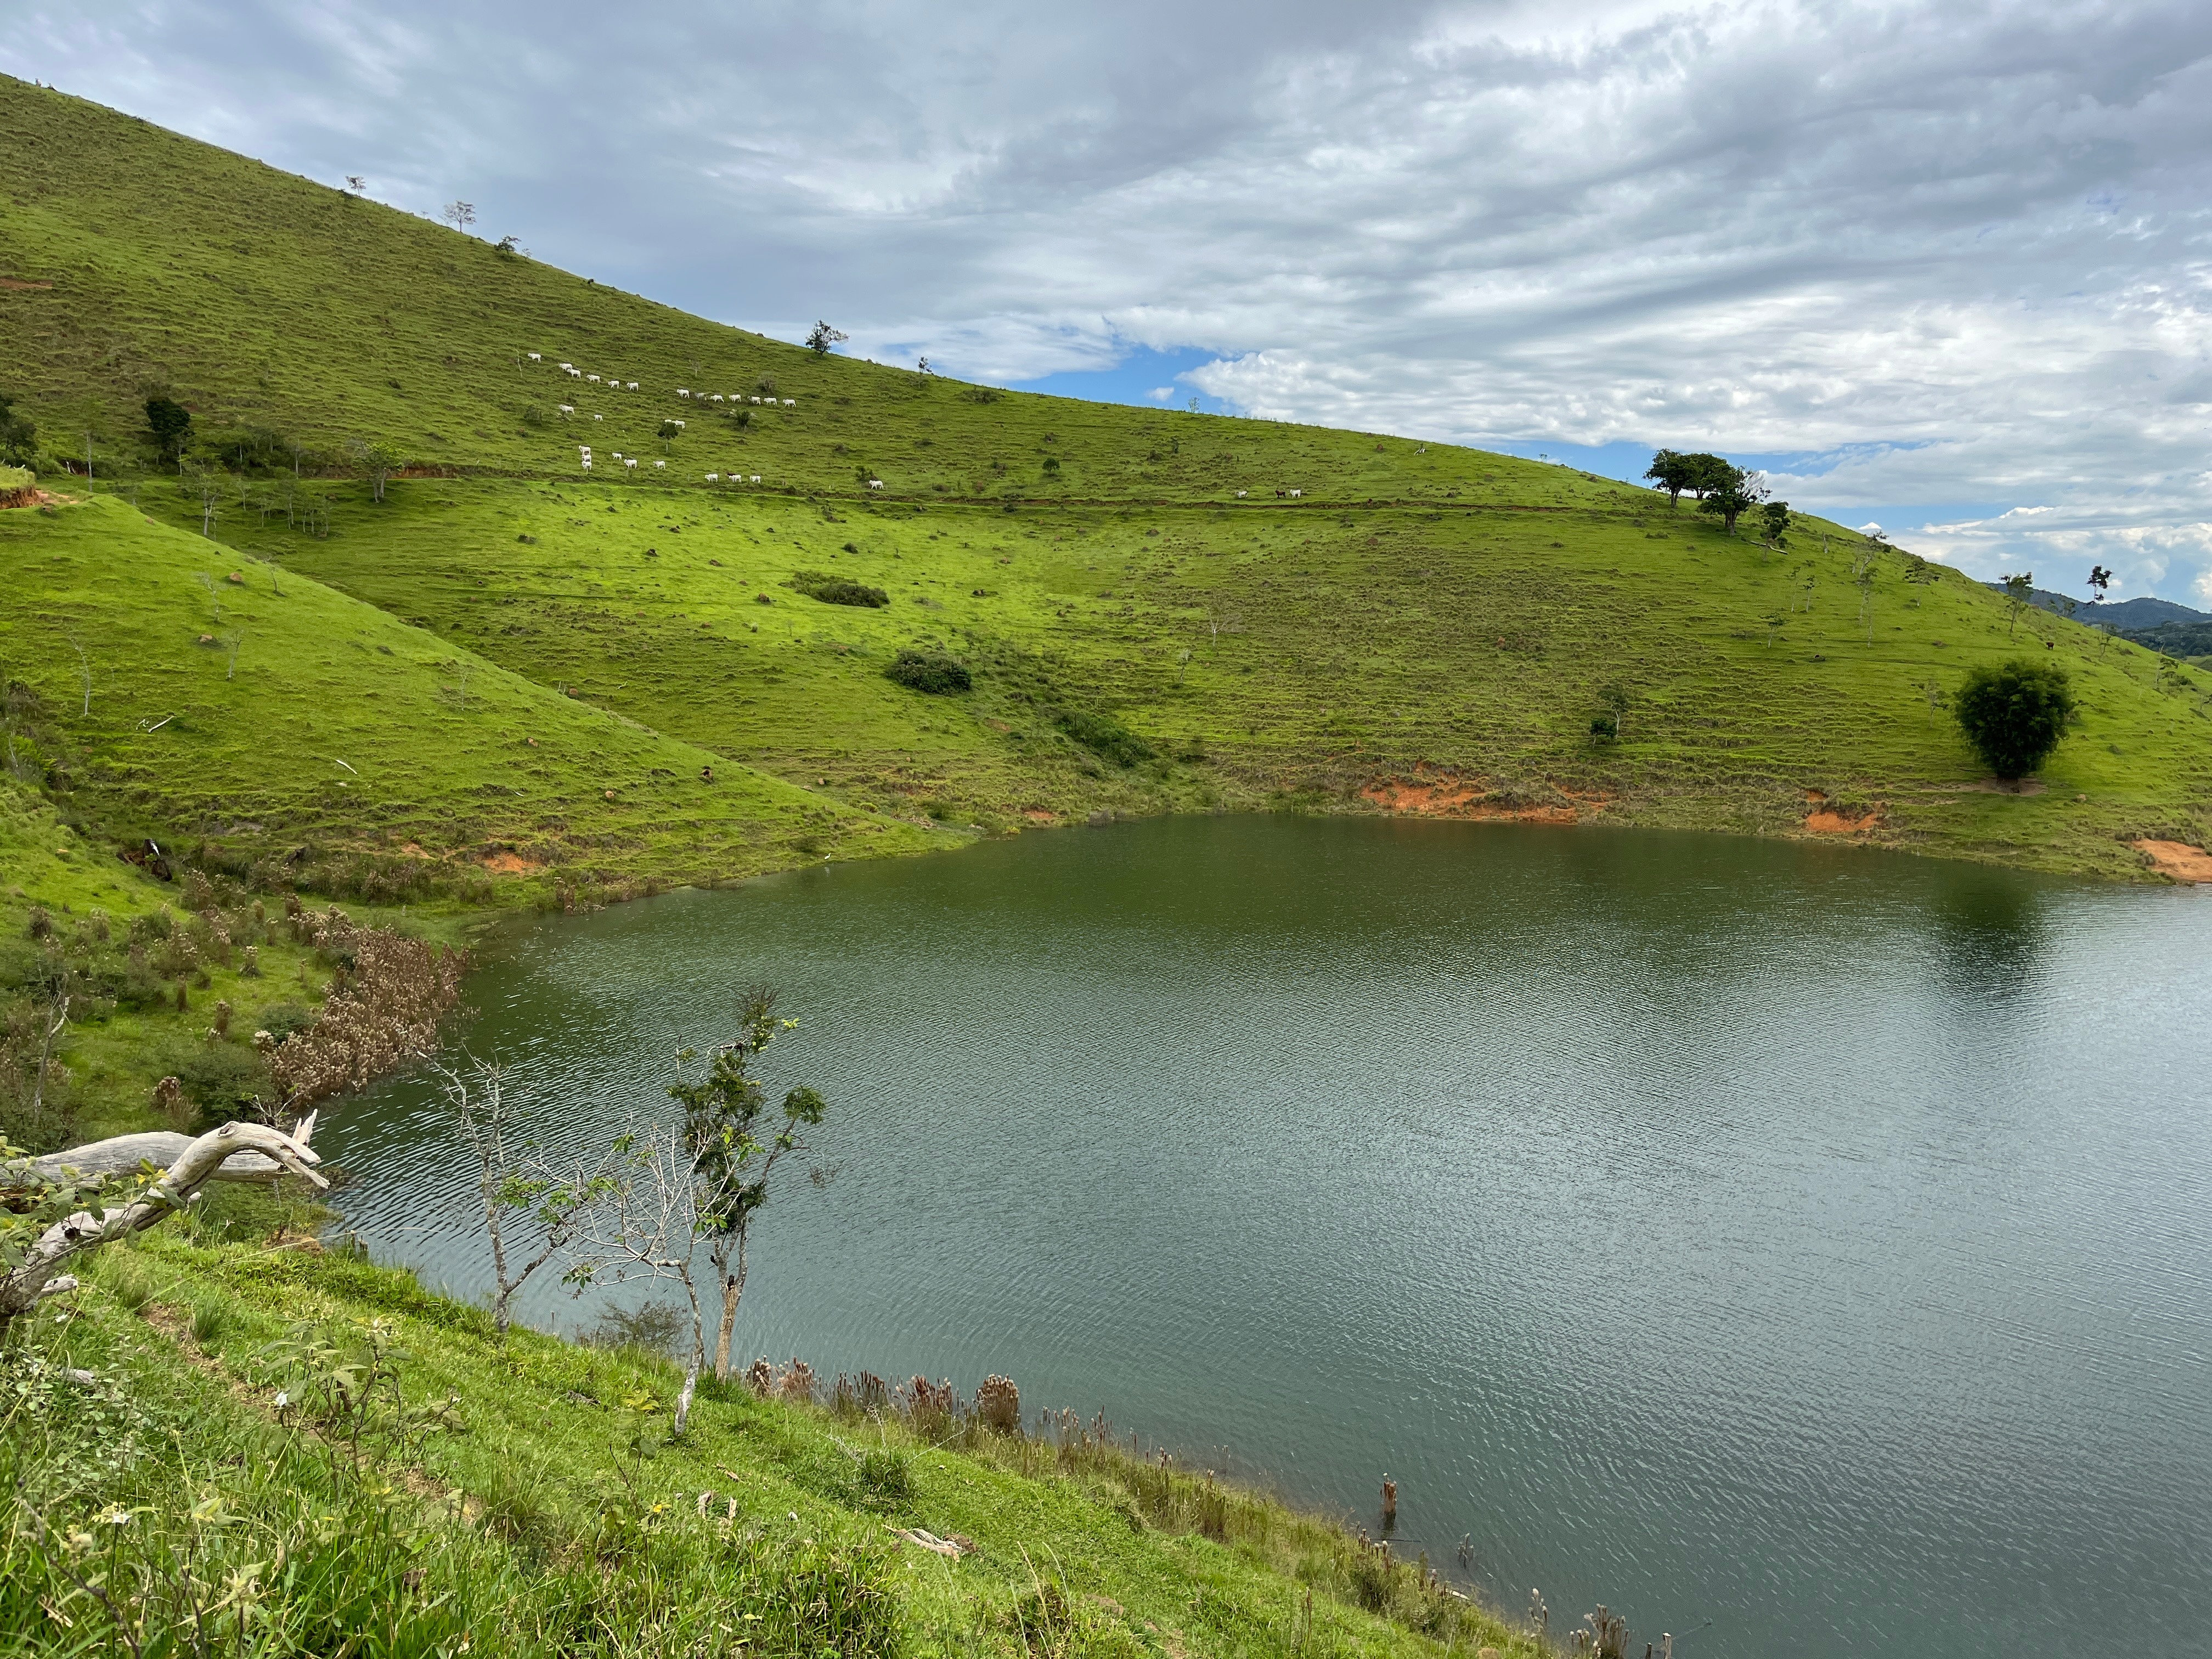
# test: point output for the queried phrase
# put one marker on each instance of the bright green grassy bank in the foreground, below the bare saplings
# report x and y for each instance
(525, 1499)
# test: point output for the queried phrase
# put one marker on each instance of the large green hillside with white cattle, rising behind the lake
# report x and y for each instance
(1419, 629)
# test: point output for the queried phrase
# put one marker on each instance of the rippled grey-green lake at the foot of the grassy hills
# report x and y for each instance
(1799, 1249)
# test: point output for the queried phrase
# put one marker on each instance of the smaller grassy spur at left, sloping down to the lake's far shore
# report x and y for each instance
(171, 689)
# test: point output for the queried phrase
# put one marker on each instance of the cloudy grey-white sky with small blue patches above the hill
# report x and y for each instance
(1943, 267)
